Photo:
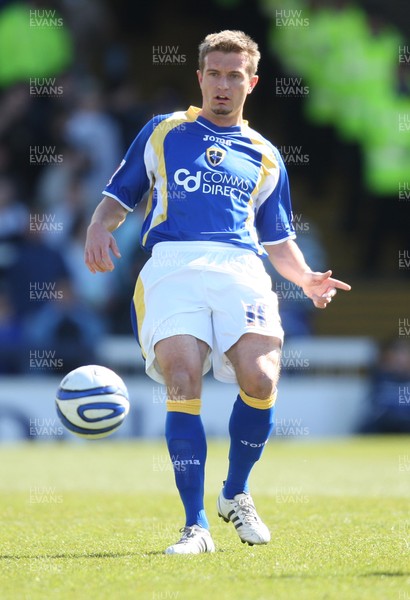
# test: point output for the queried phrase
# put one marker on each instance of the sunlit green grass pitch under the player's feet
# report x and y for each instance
(91, 520)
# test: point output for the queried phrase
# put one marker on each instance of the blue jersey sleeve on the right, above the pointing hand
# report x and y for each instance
(274, 216)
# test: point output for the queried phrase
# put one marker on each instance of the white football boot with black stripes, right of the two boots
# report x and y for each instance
(242, 513)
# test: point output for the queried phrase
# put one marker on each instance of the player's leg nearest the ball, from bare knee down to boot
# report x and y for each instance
(181, 359)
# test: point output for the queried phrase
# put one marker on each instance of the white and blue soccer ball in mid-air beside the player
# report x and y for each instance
(92, 401)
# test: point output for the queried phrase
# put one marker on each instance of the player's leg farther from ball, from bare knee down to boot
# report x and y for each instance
(255, 359)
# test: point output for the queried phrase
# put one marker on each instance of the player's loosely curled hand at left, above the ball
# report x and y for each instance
(98, 245)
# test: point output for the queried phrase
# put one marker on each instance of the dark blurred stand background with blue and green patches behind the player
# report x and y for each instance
(79, 81)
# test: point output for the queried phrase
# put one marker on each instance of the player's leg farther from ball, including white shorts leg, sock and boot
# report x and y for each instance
(248, 336)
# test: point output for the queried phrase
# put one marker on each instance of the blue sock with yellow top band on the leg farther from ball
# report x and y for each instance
(250, 426)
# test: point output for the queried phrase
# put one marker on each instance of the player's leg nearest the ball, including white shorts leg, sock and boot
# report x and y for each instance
(173, 326)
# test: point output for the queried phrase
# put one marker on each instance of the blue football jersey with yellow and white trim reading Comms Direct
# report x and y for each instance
(205, 183)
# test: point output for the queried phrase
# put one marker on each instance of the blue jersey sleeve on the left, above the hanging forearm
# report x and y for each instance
(130, 182)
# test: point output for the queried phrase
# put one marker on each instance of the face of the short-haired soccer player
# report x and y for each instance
(225, 84)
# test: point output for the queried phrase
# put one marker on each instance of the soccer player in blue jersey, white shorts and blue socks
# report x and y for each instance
(217, 201)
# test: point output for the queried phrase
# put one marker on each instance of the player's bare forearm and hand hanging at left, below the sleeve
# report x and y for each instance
(108, 215)
